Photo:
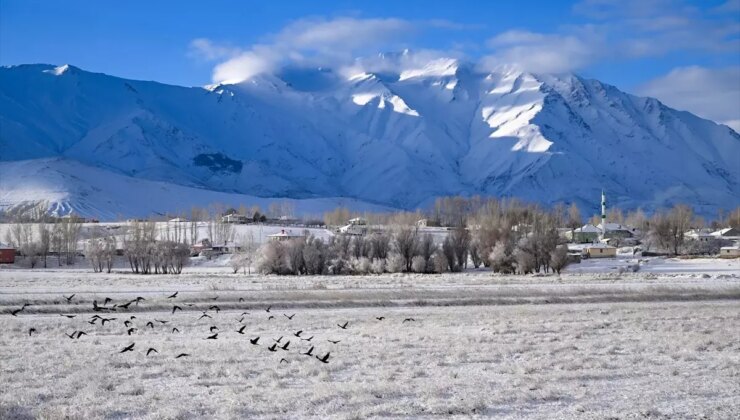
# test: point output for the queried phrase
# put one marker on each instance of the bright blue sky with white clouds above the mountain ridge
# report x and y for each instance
(649, 47)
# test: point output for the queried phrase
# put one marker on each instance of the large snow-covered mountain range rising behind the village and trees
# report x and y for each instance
(396, 138)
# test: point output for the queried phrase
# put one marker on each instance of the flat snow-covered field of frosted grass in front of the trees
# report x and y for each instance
(661, 343)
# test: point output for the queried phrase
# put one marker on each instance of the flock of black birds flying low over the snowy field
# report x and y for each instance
(104, 314)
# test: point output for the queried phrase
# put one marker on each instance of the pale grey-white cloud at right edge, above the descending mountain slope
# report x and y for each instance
(709, 93)
